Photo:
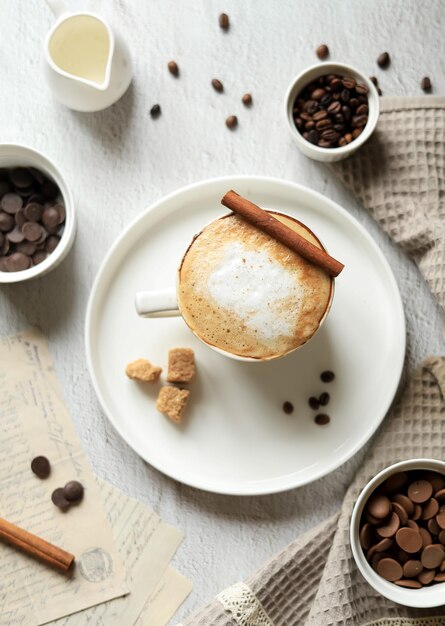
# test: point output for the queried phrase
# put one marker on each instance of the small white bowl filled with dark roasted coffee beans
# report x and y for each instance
(331, 110)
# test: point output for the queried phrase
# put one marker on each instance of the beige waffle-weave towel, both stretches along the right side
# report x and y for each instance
(399, 176)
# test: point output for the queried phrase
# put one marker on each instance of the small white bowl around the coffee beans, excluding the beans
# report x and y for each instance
(299, 83)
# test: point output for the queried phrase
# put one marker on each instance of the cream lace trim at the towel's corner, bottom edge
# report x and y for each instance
(244, 606)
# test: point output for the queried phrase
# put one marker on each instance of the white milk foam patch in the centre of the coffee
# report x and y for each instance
(254, 286)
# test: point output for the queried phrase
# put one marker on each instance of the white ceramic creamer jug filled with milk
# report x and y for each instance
(87, 65)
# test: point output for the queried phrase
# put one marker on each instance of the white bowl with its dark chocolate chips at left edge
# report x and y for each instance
(37, 220)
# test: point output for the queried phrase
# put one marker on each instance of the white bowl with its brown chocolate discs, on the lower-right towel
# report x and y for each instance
(398, 533)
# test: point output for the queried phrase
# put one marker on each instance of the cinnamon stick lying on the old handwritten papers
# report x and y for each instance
(35, 546)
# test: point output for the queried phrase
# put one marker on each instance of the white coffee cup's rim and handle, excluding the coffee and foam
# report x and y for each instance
(164, 303)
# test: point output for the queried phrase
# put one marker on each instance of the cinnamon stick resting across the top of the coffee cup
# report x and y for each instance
(267, 223)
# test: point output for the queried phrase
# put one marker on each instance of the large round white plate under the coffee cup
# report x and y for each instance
(235, 438)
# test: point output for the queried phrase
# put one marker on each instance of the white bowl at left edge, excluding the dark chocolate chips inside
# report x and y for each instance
(17, 155)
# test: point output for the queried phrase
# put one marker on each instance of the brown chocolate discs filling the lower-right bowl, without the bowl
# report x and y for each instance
(400, 529)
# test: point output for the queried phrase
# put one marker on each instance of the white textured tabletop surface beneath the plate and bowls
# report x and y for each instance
(118, 161)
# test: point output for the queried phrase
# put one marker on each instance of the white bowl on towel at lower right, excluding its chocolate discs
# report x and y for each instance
(426, 597)
